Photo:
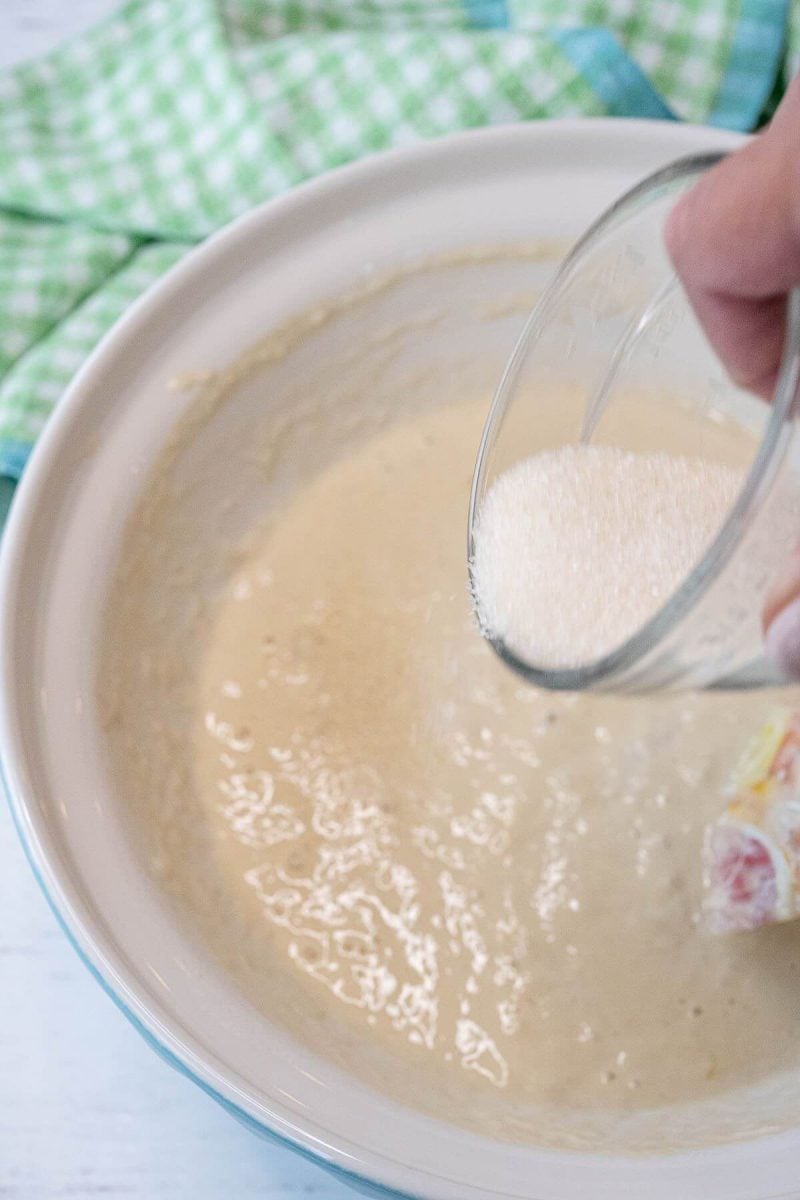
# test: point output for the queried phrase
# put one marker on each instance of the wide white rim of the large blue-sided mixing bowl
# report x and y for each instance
(504, 185)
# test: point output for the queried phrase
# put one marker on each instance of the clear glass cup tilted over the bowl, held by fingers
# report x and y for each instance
(612, 343)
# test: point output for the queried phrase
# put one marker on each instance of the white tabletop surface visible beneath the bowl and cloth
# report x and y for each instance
(87, 1109)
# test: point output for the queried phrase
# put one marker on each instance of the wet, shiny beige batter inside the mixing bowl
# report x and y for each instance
(479, 897)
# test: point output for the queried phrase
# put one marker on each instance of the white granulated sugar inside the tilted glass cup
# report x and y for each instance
(576, 548)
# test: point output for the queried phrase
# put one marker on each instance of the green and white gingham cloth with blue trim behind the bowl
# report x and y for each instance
(133, 142)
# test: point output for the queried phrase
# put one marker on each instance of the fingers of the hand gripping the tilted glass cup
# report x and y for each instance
(736, 244)
